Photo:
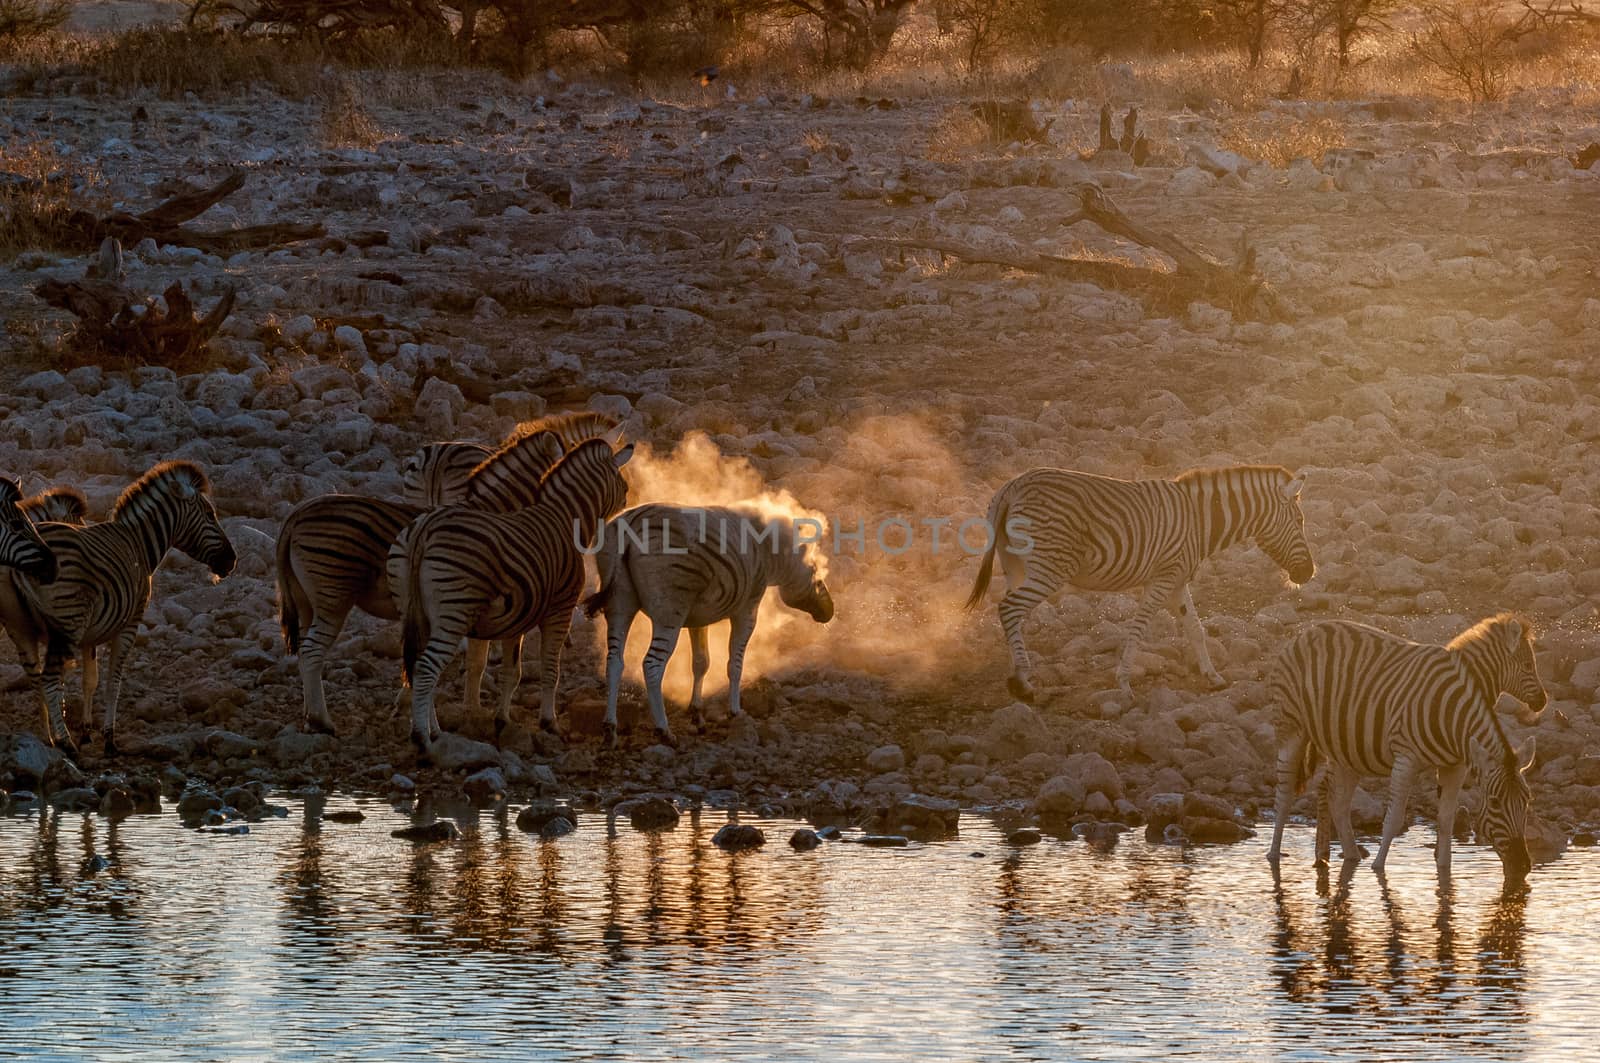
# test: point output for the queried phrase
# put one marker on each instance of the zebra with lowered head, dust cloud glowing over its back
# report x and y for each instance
(694, 568)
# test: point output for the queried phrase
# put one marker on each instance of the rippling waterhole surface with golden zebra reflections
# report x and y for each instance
(313, 941)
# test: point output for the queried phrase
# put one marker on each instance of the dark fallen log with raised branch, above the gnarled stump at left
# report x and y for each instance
(82, 231)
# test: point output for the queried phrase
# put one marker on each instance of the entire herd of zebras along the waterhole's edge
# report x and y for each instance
(489, 547)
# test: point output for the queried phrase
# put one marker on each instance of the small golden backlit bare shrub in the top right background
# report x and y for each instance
(1471, 41)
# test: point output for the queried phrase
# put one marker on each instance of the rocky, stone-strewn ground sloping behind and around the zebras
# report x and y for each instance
(705, 268)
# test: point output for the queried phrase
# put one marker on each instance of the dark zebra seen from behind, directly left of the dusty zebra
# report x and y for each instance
(473, 574)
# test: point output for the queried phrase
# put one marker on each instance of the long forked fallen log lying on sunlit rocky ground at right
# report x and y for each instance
(1194, 276)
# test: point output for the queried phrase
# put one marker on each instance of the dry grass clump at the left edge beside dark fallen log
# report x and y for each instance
(41, 190)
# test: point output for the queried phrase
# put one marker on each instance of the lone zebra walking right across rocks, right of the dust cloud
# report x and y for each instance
(1052, 527)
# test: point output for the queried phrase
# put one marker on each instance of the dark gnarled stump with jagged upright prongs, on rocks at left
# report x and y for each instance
(118, 324)
